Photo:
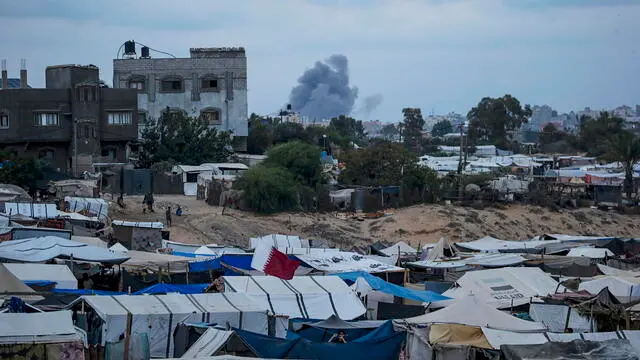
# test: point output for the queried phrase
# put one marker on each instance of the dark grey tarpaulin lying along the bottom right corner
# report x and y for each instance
(577, 349)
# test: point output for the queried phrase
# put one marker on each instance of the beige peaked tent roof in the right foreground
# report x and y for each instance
(472, 311)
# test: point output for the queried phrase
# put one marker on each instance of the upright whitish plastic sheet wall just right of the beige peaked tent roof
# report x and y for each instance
(555, 317)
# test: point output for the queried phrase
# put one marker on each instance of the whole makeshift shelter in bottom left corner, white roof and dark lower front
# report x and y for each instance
(39, 336)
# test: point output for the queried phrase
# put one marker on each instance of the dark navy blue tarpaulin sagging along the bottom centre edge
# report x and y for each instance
(382, 348)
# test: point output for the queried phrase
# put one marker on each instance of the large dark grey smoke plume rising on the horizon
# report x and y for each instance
(323, 91)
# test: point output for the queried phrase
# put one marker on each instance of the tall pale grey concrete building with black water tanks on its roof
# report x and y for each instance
(211, 83)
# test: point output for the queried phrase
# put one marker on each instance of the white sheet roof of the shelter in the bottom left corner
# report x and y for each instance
(28, 328)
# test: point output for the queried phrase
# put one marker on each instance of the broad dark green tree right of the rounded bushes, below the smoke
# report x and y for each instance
(381, 164)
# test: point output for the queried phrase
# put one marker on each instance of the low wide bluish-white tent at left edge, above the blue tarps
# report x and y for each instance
(50, 247)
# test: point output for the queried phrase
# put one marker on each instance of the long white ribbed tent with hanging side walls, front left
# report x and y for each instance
(158, 315)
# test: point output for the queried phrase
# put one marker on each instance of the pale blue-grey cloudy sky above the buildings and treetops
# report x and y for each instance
(438, 55)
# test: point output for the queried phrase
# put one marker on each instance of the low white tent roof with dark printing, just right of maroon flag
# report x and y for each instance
(346, 262)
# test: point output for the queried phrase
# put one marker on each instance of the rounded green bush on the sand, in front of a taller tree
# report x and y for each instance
(269, 189)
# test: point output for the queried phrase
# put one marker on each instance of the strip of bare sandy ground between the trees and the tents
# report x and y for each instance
(204, 224)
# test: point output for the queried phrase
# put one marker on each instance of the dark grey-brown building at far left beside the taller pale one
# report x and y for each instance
(71, 123)
